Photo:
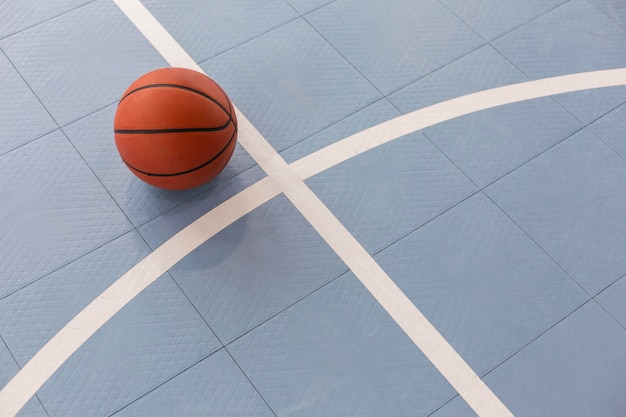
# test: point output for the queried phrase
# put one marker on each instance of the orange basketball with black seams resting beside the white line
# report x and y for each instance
(175, 128)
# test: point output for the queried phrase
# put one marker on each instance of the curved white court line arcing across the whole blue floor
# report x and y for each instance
(50, 357)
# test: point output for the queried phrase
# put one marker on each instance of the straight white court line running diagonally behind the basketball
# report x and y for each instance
(458, 373)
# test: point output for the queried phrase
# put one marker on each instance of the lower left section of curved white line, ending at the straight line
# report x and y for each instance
(74, 334)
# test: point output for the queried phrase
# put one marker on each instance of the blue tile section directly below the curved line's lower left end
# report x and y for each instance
(155, 337)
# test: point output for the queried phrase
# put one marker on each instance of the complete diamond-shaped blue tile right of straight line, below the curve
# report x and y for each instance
(482, 282)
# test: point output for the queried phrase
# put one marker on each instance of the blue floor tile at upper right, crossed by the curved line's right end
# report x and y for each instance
(573, 38)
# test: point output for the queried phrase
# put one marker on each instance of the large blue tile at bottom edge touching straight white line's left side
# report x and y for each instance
(338, 353)
